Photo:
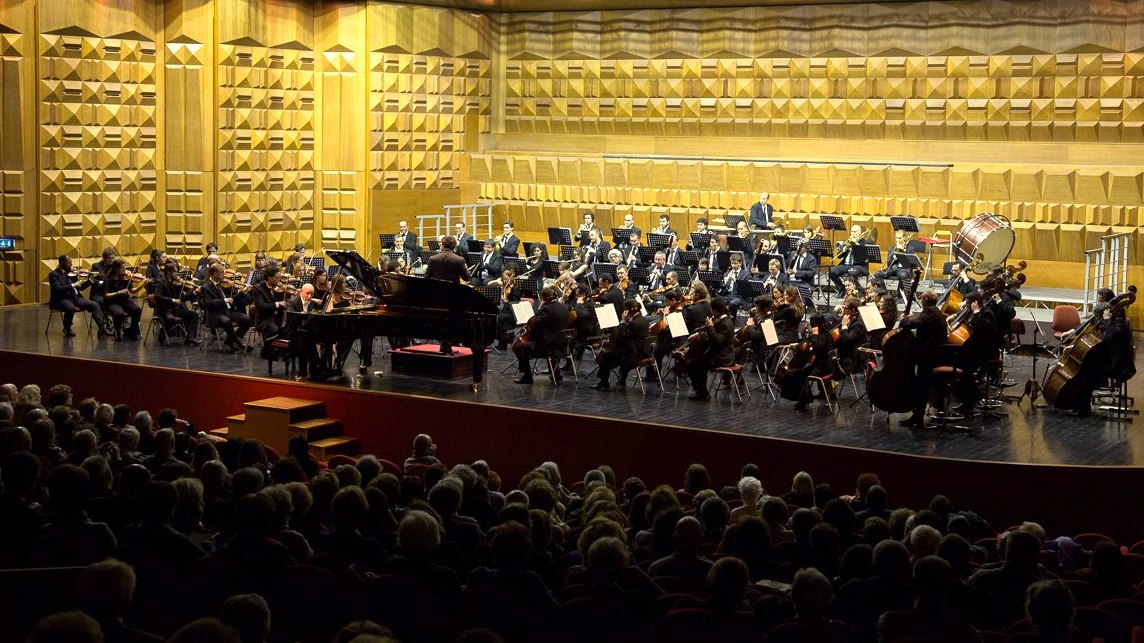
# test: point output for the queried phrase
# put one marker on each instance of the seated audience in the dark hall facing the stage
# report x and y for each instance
(190, 541)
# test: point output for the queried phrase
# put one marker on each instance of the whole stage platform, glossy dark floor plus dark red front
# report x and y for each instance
(1028, 465)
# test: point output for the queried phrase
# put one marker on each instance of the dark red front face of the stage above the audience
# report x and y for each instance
(1067, 501)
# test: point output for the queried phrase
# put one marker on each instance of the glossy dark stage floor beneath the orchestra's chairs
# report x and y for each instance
(1024, 434)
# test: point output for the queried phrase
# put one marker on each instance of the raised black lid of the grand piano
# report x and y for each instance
(412, 292)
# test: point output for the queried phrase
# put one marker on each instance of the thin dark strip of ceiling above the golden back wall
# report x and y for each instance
(621, 5)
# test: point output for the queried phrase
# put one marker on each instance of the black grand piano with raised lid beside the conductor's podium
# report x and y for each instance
(412, 307)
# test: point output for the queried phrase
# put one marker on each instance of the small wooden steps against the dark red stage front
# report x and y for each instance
(276, 420)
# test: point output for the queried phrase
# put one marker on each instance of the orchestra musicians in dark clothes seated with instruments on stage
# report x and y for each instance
(967, 313)
